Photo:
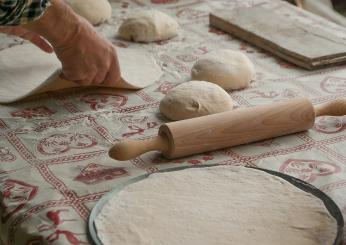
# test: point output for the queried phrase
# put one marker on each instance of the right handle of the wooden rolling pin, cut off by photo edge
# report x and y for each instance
(333, 108)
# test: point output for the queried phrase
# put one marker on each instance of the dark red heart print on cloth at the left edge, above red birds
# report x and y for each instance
(15, 195)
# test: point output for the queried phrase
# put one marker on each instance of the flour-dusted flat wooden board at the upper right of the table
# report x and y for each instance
(303, 45)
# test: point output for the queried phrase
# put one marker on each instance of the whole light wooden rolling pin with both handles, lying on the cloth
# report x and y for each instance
(231, 128)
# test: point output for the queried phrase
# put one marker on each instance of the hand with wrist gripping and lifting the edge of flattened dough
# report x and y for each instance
(86, 58)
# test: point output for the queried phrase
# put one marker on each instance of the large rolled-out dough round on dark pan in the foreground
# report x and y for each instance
(217, 205)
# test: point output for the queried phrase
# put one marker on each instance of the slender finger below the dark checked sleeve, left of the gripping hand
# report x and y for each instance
(28, 35)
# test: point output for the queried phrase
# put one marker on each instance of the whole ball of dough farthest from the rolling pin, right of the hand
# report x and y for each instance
(148, 26)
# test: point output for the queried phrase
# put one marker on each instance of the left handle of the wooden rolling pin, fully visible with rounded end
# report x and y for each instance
(129, 149)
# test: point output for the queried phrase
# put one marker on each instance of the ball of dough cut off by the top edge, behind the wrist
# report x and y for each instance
(95, 11)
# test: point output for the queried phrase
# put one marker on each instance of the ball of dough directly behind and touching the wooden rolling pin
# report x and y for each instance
(195, 99)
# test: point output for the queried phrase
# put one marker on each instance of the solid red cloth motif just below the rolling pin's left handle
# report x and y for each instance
(95, 173)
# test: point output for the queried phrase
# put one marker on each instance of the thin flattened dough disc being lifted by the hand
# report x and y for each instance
(26, 70)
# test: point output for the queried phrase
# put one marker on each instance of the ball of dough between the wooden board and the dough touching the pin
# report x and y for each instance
(230, 69)
